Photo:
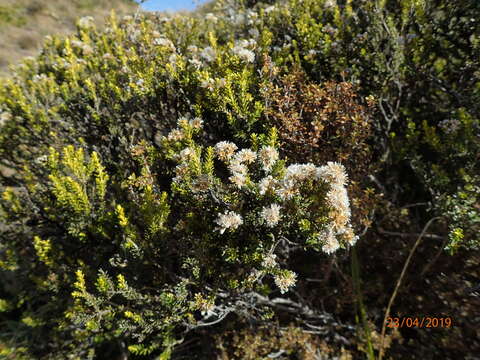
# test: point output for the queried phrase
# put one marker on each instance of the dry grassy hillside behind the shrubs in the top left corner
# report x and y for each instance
(24, 23)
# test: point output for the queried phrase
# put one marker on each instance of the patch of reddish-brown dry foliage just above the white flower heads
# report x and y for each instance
(320, 123)
